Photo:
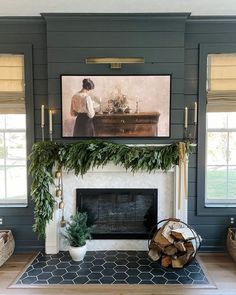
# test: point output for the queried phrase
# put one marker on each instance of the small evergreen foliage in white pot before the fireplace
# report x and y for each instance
(77, 231)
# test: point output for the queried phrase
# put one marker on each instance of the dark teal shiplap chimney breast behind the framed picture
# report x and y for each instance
(160, 40)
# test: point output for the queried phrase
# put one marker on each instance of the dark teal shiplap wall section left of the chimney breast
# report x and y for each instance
(32, 31)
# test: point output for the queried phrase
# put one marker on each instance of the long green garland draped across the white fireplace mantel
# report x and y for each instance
(82, 156)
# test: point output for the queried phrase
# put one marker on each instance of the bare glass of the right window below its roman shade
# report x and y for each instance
(221, 158)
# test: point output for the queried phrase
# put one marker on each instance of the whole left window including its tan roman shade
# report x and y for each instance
(13, 155)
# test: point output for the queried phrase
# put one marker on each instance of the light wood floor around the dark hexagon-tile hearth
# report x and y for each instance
(219, 267)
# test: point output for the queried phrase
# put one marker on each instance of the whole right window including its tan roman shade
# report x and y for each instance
(220, 183)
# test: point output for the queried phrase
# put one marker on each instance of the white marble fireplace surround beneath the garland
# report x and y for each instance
(111, 176)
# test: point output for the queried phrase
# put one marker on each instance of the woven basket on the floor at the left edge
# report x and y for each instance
(7, 245)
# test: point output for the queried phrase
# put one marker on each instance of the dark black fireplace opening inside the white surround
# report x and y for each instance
(119, 213)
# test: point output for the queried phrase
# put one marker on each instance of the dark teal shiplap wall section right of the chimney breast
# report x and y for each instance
(201, 31)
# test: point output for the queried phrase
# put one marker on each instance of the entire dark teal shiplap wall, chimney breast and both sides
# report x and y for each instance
(170, 45)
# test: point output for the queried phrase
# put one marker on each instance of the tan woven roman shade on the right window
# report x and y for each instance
(221, 82)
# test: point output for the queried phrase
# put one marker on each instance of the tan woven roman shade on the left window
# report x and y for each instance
(12, 92)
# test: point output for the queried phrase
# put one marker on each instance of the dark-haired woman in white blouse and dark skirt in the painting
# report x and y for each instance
(82, 108)
